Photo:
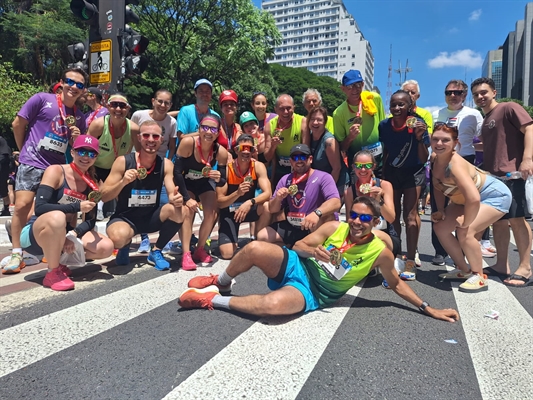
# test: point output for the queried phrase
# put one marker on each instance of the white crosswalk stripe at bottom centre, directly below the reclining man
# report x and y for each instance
(257, 363)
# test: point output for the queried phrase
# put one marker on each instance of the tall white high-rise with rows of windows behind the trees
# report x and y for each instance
(322, 36)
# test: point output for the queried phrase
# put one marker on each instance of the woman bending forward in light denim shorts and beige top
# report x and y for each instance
(477, 200)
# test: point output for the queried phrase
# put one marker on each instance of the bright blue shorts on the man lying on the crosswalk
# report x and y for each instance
(294, 275)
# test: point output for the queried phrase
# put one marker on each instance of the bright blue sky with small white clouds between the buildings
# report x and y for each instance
(442, 39)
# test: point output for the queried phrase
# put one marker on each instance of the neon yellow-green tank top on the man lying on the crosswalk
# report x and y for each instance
(361, 258)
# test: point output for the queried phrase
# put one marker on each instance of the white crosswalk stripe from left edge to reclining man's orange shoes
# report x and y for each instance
(83, 321)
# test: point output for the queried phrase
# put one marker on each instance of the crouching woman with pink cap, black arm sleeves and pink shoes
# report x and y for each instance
(64, 191)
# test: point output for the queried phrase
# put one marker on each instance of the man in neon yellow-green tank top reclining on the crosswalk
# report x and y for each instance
(319, 270)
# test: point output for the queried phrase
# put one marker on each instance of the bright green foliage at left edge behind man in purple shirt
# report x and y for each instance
(15, 90)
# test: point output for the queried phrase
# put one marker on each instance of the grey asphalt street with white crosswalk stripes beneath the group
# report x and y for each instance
(121, 335)
